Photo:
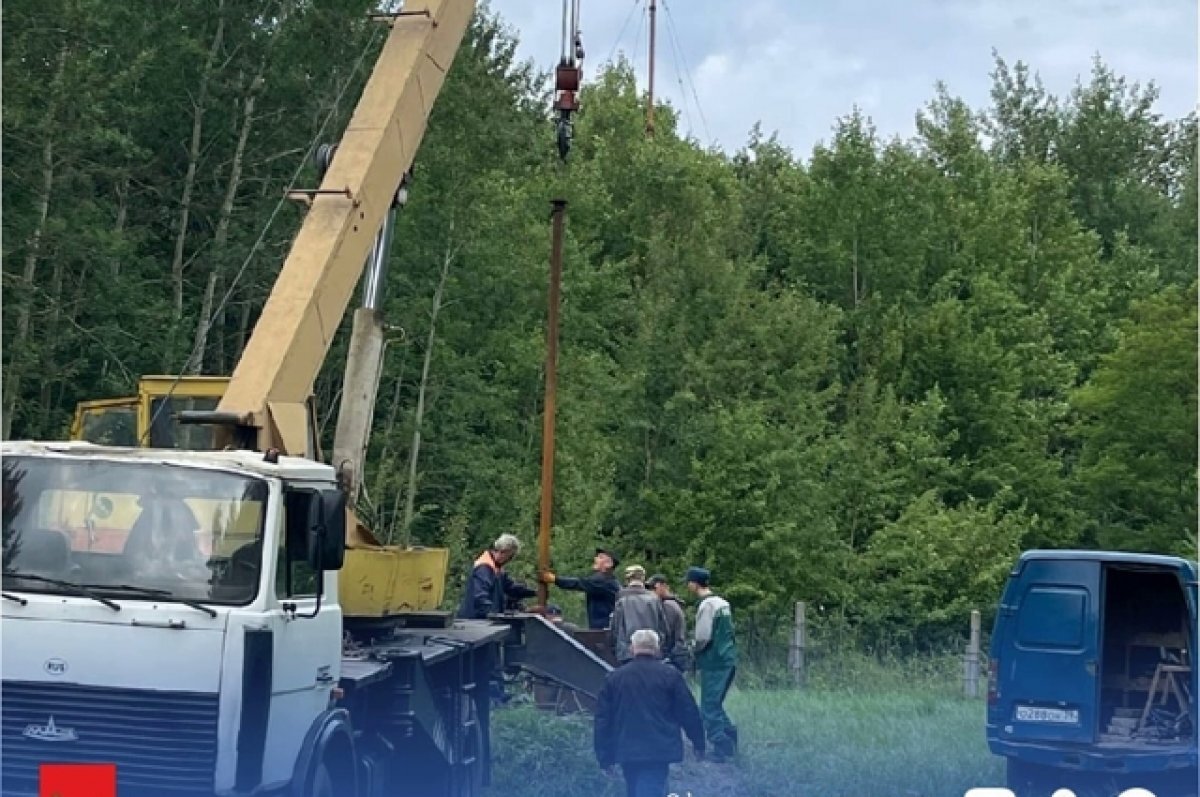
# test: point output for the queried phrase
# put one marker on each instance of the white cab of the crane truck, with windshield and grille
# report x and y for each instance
(173, 613)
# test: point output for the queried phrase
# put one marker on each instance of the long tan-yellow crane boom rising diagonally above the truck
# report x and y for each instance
(268, 394)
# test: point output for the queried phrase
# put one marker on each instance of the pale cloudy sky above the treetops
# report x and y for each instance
(797, 65)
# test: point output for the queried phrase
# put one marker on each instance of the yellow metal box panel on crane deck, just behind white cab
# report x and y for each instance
(381, 582)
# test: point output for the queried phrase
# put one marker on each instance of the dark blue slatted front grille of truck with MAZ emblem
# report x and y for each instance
(163, 742)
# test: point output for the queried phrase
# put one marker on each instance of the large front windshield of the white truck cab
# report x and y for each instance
(131, 530)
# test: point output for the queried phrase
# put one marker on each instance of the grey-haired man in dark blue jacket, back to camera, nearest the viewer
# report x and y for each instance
(640, 714)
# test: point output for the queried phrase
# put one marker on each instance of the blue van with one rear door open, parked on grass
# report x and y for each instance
(1093, 681)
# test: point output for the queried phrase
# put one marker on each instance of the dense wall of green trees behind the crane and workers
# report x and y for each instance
(867, 379)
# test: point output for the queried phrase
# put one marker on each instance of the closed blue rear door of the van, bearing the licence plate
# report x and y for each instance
(1047, 674)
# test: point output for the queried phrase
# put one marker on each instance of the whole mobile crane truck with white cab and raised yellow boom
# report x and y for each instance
(206, 613)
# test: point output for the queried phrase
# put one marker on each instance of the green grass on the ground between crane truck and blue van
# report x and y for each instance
(903, 736)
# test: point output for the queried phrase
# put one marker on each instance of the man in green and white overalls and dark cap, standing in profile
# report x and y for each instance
(716, 652)
